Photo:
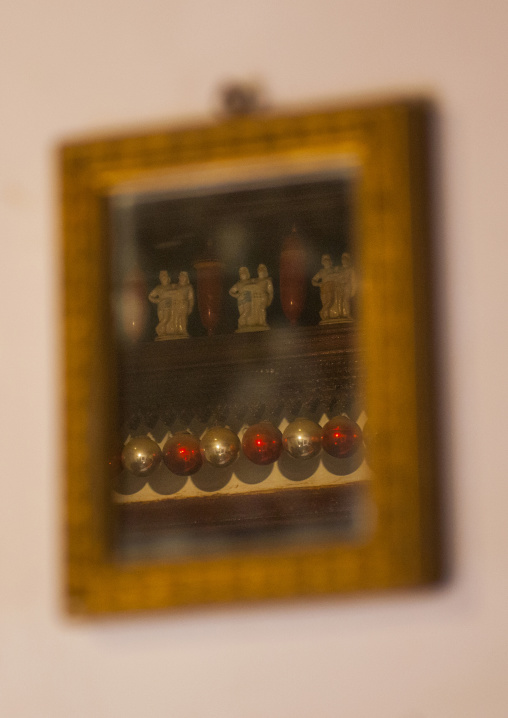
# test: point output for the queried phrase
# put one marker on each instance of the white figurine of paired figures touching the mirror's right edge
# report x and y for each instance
(337, 286)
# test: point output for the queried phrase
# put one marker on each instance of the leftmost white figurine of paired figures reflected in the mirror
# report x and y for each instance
(174, 304)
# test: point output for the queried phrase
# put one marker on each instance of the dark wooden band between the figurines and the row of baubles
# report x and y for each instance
(280, 372)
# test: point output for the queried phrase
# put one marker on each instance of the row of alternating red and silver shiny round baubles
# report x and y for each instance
(262, 443)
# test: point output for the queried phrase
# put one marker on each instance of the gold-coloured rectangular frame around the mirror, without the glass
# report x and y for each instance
(390, 145)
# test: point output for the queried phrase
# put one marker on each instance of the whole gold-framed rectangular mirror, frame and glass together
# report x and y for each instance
(249, 385)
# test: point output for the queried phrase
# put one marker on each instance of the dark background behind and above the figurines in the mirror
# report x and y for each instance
(240, 226)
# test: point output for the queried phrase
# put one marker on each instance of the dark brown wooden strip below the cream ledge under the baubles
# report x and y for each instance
(203, 523)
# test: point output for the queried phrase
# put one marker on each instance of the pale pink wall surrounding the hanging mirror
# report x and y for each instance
(68, 67)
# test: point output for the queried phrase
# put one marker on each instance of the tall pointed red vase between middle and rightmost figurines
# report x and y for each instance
(293, 276)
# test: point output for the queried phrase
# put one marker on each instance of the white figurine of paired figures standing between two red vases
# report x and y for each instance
(253, 295)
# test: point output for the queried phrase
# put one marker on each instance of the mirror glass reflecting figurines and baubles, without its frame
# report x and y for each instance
(258, 279)
